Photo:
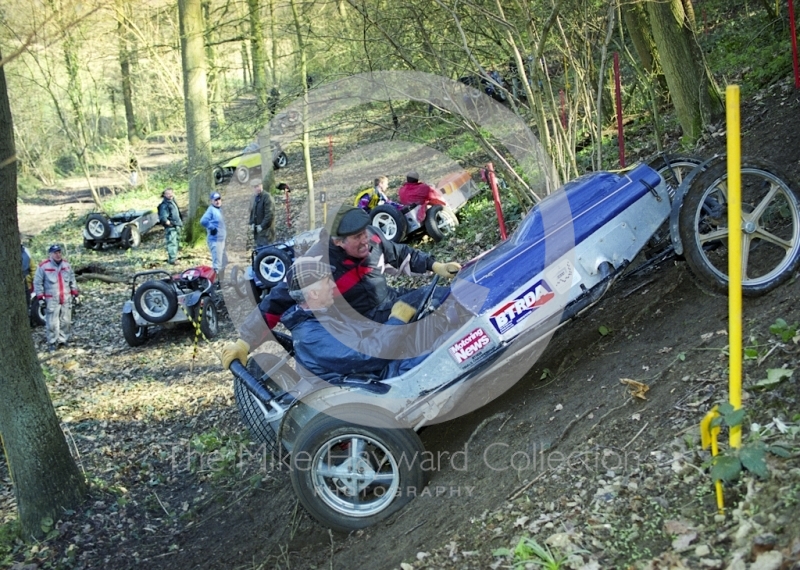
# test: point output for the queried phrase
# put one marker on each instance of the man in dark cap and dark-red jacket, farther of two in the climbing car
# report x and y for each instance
(361, 257)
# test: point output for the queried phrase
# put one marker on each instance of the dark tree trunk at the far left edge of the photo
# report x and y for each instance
(45, 477)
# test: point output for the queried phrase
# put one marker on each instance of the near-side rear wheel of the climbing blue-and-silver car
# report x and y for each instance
(352, 467)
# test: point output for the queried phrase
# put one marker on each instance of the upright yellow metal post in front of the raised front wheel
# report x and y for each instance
(734, 255)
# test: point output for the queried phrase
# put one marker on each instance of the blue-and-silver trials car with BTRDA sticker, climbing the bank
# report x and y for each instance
(352, 446)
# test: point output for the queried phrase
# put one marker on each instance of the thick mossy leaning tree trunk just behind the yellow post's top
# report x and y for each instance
(693, 92)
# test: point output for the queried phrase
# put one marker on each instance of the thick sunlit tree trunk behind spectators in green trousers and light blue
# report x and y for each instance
(195, 89)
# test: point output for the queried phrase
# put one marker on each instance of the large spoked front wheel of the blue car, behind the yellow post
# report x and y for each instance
(770, 227)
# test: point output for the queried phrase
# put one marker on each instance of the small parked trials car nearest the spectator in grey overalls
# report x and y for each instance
(161, 298)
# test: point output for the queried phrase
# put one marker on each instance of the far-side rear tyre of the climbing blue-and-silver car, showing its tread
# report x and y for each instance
(250, 408)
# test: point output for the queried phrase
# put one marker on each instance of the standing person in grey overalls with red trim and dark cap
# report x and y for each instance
(55, 288)
